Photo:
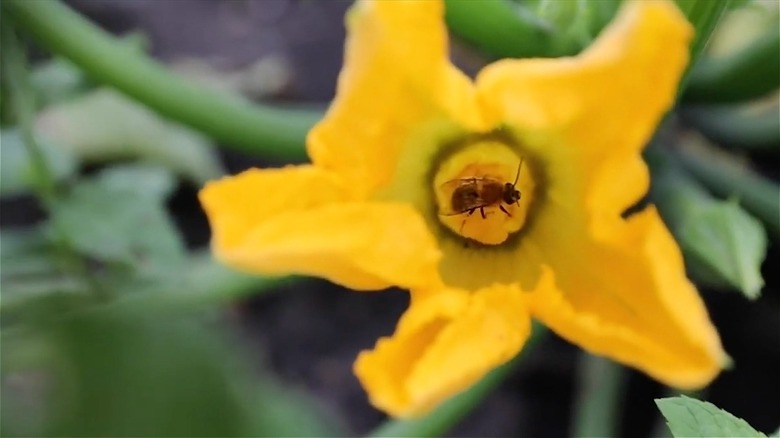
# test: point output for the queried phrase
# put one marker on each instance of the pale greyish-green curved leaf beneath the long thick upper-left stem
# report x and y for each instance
(104, 125)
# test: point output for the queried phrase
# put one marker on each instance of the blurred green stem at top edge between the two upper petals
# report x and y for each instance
(501, 29)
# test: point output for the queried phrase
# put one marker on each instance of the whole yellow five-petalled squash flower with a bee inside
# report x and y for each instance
(412, 184)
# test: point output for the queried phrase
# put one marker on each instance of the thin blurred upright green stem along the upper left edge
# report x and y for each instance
(15, 73)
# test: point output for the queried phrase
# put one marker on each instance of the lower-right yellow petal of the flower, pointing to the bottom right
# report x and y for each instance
(627, 298)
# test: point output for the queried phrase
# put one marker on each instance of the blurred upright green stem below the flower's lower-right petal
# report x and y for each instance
(601, 387)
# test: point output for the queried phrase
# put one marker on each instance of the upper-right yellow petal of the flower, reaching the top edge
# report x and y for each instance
(598, 108)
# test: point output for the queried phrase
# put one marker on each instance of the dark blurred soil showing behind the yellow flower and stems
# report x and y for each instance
(311, 333)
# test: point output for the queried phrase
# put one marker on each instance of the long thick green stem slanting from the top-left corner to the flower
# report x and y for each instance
(279, 133)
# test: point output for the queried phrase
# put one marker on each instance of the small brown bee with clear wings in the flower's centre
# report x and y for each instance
(477, 193)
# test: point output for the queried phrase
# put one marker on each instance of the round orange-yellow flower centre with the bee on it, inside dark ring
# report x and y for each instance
(483, 192)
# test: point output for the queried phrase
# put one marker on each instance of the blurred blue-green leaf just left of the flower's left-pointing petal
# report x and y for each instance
(112, 223)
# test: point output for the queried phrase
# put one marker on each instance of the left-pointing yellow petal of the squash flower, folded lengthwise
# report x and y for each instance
(300, 220)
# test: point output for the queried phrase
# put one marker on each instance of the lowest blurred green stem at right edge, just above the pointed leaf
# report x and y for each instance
(722, 174)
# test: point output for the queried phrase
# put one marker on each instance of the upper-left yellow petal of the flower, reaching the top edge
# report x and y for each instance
(396, 79)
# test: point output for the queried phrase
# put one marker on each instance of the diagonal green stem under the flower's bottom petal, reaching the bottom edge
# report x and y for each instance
(448, 414)
